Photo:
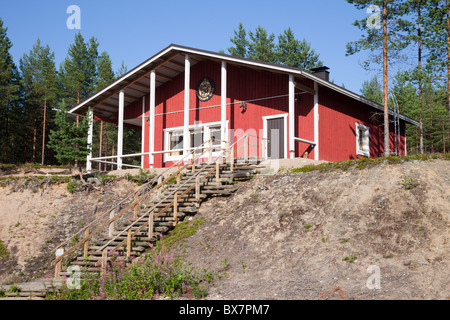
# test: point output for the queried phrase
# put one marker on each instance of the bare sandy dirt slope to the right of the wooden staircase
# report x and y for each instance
(316, 235)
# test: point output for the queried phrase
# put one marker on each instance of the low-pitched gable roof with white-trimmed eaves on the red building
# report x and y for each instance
(170, 63)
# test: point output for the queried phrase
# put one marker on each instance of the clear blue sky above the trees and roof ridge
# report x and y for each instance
(134, 30)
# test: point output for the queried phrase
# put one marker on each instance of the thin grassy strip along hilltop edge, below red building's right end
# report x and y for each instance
(365, 163)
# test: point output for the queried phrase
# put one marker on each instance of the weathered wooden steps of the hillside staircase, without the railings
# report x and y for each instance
(187, 206)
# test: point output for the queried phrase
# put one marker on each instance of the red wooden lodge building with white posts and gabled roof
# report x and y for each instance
(182, 97)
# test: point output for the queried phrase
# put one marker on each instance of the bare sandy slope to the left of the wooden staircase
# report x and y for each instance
(37, 214)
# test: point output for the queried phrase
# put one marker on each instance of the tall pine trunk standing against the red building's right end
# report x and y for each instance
(387, 145)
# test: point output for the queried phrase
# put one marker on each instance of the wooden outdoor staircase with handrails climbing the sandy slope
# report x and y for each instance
(137, 222)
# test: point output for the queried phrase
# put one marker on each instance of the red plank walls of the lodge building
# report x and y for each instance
(338, 113)
